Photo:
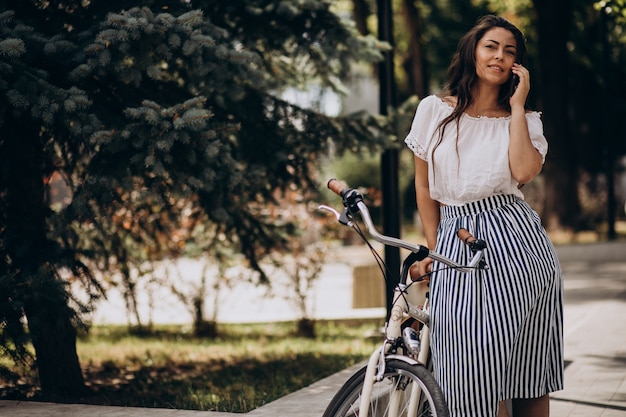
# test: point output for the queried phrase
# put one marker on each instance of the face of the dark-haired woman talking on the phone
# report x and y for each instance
(495, 55)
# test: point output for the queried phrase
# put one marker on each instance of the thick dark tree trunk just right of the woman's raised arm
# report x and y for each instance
(562, 207)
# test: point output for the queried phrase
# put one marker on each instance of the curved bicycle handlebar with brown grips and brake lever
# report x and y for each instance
(353, 202)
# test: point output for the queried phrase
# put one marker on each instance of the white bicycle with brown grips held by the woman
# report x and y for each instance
(397, 380)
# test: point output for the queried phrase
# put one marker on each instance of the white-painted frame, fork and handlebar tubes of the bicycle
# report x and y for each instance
(400, 310)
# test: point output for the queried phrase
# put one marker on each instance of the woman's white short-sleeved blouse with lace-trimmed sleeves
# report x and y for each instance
(478, 165)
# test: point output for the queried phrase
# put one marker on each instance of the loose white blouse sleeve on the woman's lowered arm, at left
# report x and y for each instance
(425, 122)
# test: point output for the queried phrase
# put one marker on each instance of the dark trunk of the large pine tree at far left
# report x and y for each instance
(43, 295)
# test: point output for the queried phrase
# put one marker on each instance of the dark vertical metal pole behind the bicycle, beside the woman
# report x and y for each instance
(389, 159)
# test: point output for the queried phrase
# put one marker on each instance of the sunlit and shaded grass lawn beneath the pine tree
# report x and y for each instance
(244, 368)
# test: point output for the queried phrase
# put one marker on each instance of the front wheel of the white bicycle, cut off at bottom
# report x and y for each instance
(393, 396)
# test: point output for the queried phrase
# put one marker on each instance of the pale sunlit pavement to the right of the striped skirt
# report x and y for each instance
(595, 331)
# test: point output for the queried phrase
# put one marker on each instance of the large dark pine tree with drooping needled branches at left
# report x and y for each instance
(150, 113)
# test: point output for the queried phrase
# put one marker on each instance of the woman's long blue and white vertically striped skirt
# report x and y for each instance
(496, 334)
